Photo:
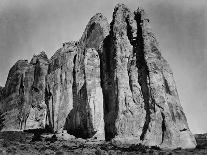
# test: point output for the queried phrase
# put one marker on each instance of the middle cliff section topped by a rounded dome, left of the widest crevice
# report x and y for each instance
(79, 96)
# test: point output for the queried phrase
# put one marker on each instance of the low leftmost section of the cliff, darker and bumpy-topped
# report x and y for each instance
(23, 100)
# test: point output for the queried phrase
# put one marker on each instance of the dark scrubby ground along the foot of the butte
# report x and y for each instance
(21, 143)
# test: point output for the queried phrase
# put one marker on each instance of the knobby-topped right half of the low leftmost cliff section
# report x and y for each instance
(35, 95)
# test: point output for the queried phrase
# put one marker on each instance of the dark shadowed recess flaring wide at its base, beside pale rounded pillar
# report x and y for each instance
(79, 120)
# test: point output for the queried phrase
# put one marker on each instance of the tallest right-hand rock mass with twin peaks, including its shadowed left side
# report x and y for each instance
(141, 100)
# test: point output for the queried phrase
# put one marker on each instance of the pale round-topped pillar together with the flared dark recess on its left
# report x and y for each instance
(86, 117)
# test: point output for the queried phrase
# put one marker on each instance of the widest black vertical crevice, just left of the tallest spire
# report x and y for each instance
(108, 84)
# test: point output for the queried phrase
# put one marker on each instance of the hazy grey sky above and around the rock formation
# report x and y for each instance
(28, 27)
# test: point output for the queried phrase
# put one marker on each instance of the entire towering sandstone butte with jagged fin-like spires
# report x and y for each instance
(112, 84)
